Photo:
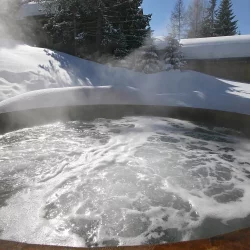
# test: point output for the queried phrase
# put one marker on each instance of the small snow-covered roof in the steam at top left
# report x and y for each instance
(30, 9)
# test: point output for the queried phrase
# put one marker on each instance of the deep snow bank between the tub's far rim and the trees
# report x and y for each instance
(33, 77)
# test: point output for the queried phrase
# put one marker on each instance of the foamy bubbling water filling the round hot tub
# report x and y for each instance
(132, 181)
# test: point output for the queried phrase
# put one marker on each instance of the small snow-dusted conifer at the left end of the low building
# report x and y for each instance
(173, 57)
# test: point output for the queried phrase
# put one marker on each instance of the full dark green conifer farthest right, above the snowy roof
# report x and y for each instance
(225, 24)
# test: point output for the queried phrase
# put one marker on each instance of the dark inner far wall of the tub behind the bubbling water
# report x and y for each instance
(27, 118)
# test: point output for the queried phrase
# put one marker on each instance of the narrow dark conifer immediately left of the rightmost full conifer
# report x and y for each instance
(208, 29)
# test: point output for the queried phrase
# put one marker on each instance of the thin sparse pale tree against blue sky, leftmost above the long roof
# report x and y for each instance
(178, 19)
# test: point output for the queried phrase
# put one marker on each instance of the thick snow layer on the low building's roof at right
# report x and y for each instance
(213, 47)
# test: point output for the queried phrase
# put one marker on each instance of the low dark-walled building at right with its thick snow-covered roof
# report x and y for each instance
(225, 57)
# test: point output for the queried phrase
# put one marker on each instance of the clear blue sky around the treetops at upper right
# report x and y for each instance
(161, 10)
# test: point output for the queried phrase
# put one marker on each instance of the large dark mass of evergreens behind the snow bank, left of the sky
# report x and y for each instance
(114, 26)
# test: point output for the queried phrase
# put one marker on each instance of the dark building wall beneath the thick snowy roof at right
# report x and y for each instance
(236, 69)
